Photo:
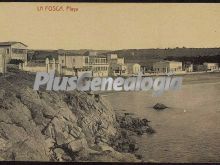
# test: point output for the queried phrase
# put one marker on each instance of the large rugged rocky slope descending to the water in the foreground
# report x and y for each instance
(62, 126)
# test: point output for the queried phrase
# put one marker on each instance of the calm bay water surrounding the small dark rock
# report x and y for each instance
(189, 131)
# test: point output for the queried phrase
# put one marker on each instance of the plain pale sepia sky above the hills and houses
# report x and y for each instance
(111, 26)
